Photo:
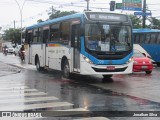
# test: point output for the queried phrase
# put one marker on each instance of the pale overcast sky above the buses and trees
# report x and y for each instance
(39, 9)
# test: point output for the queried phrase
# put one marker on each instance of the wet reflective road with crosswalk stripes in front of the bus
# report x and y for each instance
(30, 90)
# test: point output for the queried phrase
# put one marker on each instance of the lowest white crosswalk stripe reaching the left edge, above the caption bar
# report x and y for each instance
(54, 105)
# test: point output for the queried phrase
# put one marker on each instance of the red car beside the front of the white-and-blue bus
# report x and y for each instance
(141, 62)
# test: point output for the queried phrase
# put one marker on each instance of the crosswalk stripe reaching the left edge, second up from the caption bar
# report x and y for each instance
(26, 100)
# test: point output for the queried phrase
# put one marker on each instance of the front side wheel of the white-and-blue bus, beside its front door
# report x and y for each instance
(66, 69)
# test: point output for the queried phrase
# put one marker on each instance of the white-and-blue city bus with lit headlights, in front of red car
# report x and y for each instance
(77, 44)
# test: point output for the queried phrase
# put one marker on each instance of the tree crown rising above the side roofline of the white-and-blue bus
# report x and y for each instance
(58, 13)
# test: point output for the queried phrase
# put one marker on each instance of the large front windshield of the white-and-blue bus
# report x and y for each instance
(108, 38)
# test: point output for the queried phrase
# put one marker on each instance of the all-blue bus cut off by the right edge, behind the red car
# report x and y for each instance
(149, 39)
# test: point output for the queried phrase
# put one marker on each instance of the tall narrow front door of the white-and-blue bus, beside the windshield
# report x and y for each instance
(75, 43)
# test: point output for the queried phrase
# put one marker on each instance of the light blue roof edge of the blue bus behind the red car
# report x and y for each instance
(145, 30)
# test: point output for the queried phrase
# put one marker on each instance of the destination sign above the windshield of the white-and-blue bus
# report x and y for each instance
(107, 17)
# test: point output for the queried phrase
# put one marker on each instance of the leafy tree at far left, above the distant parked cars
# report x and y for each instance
(12, 35)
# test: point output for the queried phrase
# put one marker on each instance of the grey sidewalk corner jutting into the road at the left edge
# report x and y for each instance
(6, 69)
